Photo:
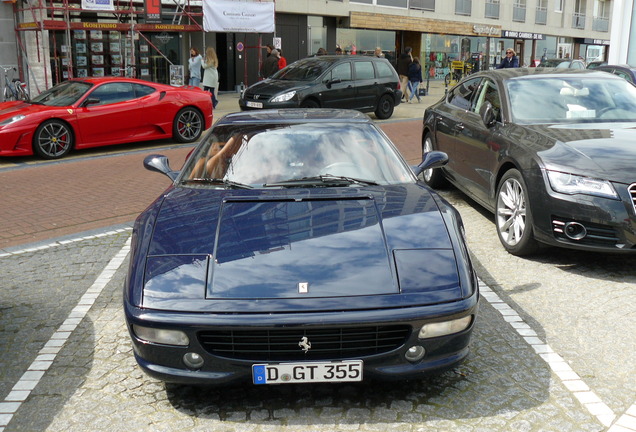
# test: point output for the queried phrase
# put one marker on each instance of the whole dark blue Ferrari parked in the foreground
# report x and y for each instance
(298, 246)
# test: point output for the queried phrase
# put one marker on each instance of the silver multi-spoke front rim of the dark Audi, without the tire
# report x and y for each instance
(511, 212)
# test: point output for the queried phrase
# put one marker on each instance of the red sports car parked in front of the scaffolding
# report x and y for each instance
(92, 112)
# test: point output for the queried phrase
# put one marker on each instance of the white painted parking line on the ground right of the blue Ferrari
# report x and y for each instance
(570, 379)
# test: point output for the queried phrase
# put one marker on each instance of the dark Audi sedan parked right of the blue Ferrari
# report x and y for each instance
(551, 152)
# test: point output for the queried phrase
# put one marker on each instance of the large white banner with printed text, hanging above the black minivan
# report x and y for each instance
(229, 16)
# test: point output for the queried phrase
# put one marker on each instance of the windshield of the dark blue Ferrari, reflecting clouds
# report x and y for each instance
(296, 155)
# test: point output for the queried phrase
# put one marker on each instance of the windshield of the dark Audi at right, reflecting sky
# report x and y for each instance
(572, 100)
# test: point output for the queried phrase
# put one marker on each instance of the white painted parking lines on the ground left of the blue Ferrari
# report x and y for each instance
(25, 385)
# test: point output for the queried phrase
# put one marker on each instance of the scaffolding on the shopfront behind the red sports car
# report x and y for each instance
(131, 18)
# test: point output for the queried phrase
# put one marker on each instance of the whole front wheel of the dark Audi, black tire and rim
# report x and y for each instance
(513, 215)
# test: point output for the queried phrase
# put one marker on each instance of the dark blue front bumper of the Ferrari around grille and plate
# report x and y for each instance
(166, 362)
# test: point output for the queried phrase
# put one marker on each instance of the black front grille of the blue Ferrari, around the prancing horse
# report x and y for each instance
(283, 344)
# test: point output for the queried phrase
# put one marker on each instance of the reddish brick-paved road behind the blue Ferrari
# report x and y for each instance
(44, 200)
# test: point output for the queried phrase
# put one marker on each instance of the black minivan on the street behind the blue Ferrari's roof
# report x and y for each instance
(367, 84)
